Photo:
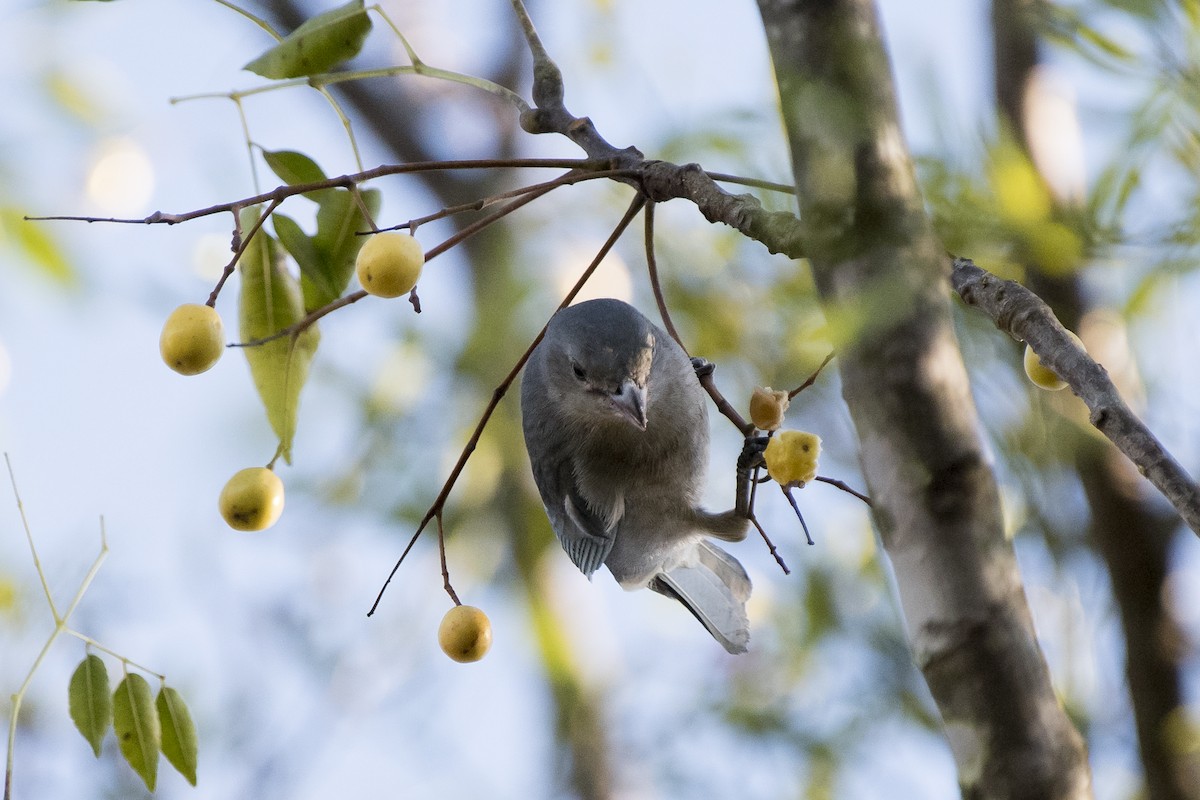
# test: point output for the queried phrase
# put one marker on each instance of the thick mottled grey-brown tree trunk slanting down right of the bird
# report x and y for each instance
(937, 503)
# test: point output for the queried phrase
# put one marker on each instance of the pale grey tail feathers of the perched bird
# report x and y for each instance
(716, 590)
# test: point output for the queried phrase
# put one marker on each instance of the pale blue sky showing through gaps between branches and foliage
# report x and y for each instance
(97, 425)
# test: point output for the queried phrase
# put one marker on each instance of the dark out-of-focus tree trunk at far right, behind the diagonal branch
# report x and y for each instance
(1132, 537)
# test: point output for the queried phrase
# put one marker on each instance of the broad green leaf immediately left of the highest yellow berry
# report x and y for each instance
(339, 221)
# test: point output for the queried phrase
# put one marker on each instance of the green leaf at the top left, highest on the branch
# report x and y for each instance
(322, 43)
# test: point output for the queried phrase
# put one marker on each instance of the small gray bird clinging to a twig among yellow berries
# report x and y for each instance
(616, 424)
